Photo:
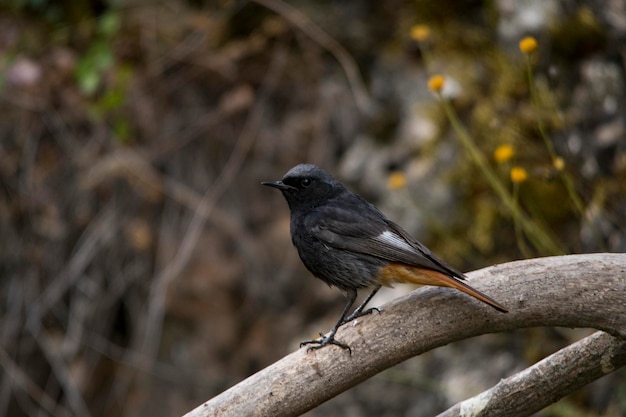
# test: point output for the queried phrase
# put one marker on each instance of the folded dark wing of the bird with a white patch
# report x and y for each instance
(367, 231)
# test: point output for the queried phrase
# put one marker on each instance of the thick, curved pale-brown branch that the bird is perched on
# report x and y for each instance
(570, 291)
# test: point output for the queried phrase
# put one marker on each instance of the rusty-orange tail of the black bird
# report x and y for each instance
(397, 272)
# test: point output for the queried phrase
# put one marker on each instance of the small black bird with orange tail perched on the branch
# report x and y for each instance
(347, 242)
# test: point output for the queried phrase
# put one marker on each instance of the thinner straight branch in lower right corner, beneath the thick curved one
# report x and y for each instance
(548, 380)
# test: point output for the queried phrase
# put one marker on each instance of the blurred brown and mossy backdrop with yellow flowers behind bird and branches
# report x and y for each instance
(143, 267)
